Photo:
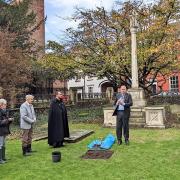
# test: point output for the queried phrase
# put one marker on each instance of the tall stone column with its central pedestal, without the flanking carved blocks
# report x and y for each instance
(137, 111)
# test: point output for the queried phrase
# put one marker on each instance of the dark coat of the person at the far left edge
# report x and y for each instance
(4, 123)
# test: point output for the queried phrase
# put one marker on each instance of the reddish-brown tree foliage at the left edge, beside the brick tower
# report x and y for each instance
(15, 67)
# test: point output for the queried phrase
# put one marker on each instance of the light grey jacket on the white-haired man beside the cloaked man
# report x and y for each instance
(27, 116)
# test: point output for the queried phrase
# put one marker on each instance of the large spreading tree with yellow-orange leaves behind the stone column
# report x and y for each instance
(102, 41)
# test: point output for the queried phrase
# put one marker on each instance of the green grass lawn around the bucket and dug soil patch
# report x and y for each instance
(152, 154)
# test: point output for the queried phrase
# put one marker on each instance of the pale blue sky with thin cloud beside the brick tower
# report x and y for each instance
(56, 10)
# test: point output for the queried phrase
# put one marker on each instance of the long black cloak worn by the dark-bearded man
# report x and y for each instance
(58, 127)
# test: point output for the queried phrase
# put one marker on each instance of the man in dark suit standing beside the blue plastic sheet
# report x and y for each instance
(123, 102)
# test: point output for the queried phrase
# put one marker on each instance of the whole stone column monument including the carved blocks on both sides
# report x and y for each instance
(141, 116)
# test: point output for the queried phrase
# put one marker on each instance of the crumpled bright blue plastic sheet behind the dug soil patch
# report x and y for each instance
(107, 143)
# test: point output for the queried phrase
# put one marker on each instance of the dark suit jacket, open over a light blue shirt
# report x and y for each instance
(128, 102)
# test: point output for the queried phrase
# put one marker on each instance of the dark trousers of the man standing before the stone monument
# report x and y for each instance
(122, 123)
